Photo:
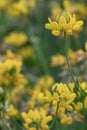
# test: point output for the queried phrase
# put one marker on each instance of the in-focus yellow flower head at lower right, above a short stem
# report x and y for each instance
(61, 94)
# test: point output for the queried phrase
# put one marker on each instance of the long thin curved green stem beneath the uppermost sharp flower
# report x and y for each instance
(68, 63)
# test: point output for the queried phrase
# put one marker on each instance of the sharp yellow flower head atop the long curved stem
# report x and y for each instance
(64, 23)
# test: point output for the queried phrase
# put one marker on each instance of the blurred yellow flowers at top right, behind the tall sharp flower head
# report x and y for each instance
(70, 6)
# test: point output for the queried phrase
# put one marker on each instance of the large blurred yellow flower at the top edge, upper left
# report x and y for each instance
(21, 7)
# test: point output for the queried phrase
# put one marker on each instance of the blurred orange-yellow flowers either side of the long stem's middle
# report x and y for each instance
(74, 57)
